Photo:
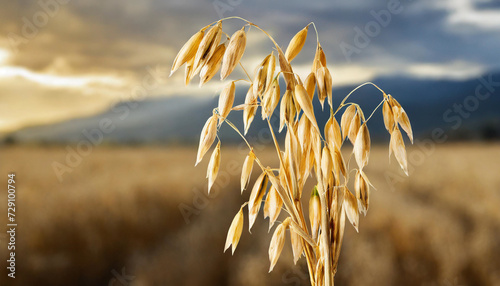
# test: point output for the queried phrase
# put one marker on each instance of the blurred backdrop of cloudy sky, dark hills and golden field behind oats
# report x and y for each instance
(103, 142)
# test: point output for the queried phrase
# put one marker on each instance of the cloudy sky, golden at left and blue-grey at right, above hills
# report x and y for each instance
(71, 58)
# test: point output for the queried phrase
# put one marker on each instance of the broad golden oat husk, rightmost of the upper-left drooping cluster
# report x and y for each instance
(234, 52)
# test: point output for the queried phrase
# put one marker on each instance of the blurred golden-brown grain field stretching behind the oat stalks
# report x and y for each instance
(116, 219)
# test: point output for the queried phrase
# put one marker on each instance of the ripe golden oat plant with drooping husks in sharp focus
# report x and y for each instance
(311, 152)
